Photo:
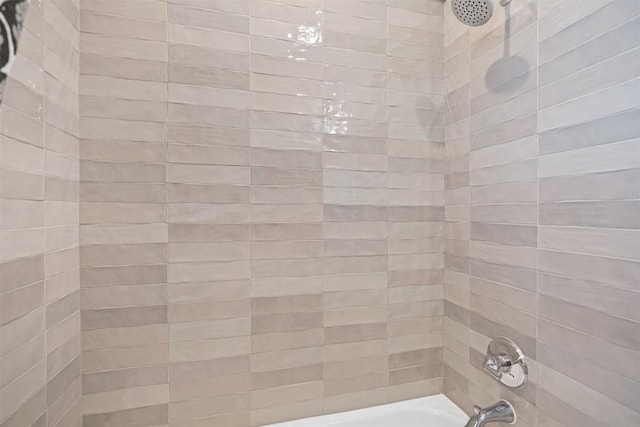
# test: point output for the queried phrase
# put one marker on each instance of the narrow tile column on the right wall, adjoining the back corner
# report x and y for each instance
(456, 209)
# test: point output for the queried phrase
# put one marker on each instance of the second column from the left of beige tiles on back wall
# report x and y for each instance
(208, 195)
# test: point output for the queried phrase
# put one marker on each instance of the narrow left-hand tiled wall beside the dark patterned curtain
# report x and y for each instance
(39, 286)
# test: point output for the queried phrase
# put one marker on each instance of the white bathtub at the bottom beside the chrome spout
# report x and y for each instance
(433, 411)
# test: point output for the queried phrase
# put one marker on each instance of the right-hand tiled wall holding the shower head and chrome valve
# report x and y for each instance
(542, 208)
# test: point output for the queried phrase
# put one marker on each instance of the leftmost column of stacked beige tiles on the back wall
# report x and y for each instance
(124, 193)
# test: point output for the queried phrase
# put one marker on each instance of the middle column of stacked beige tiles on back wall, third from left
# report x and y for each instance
(287, 248)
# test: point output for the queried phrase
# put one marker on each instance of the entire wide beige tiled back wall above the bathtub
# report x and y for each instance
(262, 205)
